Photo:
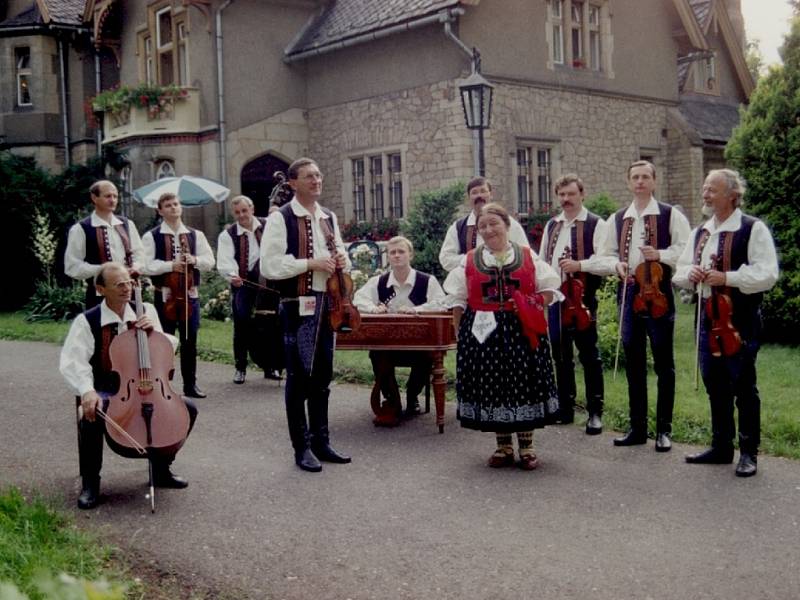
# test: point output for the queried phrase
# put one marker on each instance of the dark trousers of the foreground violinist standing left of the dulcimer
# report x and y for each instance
(308, 346)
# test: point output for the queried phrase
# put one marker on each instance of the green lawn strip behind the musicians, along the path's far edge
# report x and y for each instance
(780, 413)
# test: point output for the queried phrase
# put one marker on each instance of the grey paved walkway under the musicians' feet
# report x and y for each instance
(417, 514)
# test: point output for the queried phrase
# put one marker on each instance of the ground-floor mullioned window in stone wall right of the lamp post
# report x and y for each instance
(534, 175)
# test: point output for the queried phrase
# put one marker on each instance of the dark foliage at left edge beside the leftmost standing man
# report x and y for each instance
(24, 187)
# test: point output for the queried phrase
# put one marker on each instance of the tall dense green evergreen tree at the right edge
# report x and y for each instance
(765, 148)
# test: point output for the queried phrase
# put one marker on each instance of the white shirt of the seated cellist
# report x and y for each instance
(79, 345)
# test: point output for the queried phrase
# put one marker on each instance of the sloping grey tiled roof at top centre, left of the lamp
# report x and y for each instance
(340, 20)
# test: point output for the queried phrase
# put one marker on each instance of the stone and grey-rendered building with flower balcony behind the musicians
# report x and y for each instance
(370, 89)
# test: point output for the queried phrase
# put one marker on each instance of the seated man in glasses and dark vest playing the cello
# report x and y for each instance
(86, 366)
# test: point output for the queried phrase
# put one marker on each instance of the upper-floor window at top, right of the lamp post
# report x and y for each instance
(588, 40)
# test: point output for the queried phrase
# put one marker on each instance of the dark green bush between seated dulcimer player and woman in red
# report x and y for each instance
(427, 224)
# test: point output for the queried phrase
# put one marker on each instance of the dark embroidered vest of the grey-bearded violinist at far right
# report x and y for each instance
(732, 249)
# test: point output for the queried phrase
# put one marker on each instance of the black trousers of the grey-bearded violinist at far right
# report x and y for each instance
(730, 380)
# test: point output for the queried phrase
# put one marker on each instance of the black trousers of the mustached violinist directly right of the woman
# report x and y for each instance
(561, 342)
